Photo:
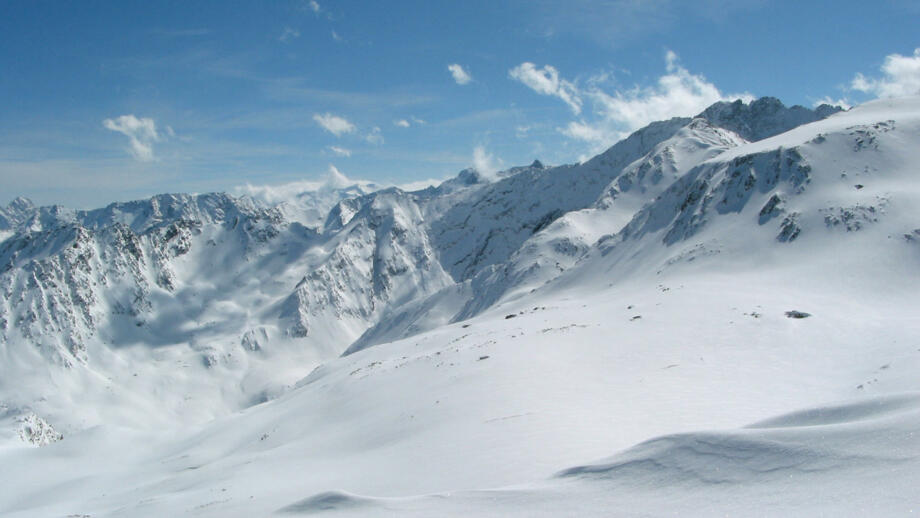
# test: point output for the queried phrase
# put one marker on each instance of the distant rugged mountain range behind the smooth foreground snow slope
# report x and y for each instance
(90, 275)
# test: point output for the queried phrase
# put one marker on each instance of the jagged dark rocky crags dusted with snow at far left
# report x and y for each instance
(66, 273)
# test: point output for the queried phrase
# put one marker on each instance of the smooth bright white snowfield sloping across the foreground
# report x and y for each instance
(506, 405)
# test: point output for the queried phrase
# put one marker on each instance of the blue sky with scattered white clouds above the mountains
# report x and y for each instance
(106, 101)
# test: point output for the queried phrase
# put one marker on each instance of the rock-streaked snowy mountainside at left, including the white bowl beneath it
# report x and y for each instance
(243, 299)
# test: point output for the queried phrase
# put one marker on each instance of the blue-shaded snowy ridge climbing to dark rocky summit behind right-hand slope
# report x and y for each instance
(524, 230)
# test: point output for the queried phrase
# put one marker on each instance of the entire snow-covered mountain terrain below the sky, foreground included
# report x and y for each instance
(716, 317)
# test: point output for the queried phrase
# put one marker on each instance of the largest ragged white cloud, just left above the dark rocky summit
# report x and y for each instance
(677, 93)
